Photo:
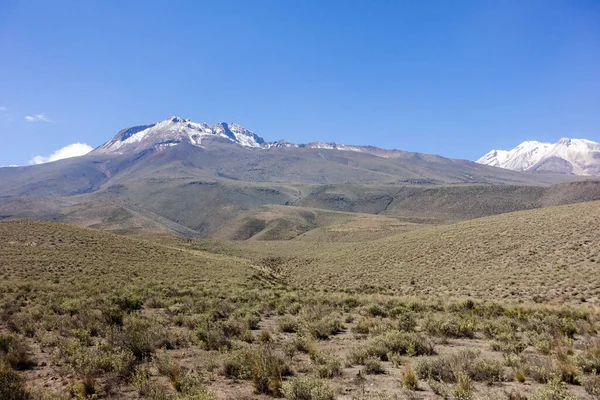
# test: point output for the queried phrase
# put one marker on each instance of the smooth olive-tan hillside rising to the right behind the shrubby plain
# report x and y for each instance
(551, 254)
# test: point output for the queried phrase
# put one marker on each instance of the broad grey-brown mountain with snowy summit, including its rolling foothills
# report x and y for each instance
(195, 179)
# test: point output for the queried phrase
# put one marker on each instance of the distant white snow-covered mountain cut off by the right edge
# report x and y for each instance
(569, 156)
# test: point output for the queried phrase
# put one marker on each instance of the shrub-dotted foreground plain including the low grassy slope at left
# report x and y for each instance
(185, 321)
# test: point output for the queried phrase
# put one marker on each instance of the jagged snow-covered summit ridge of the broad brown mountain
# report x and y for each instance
(175, 130)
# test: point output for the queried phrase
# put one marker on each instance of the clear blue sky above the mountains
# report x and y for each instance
(455, 78)
